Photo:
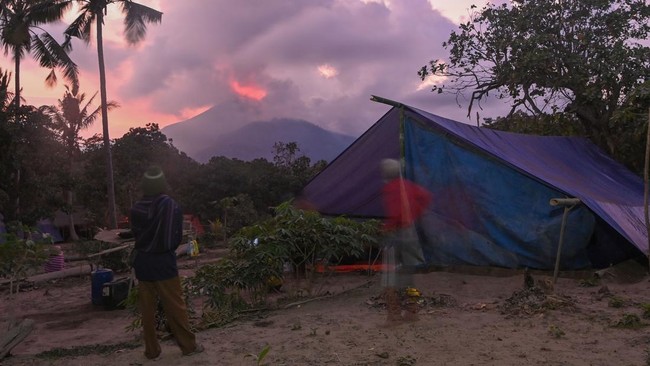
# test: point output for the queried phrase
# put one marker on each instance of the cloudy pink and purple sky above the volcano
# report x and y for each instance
(317, 60)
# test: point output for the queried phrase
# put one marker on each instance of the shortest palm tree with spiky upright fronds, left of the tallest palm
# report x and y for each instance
(72, 116)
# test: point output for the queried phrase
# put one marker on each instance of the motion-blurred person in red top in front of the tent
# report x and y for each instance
(404, 203)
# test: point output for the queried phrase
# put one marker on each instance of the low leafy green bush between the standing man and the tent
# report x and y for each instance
(242, 279)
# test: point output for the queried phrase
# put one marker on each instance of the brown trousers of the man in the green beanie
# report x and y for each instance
(171, 296)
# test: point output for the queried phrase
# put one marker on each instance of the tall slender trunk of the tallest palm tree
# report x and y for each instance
(112, 212)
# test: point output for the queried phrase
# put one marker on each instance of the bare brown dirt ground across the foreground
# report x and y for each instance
(467, 317)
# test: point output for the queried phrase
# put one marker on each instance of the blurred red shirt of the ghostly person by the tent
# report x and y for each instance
(404, 202)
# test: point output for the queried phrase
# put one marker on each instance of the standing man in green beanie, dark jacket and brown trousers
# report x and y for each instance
(157, 224)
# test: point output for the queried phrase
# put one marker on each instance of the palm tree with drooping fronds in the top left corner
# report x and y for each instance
(19, 21)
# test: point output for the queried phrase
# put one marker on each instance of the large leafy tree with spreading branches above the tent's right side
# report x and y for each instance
(581, 57)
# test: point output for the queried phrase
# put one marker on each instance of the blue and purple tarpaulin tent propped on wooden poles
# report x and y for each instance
(492, 191)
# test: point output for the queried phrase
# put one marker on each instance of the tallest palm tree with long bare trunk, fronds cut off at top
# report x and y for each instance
(136, 17)
